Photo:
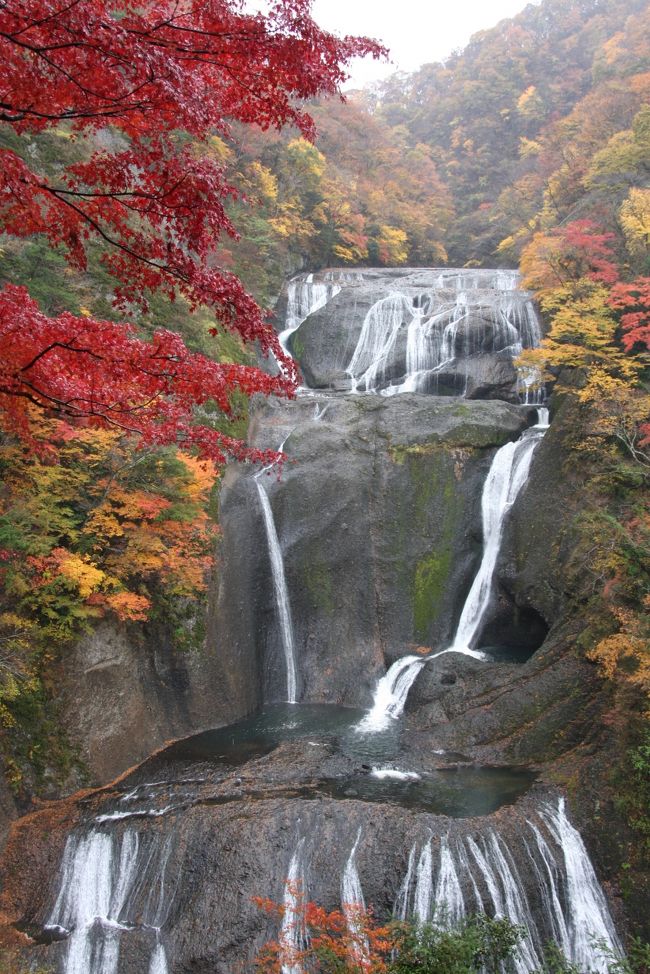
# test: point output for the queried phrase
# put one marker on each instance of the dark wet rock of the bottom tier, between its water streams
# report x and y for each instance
(206, 837)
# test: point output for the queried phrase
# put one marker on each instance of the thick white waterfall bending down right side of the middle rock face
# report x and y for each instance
(507, 475)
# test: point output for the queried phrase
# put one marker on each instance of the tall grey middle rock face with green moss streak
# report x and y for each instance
(378, 509)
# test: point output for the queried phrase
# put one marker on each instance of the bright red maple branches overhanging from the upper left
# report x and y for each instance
(165, 75)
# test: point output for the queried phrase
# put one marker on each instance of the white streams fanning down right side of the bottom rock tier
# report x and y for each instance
(482, 870)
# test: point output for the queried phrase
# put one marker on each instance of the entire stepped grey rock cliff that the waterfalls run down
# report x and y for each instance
(363, 552)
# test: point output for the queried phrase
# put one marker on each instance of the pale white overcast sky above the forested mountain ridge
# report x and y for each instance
(416, 31)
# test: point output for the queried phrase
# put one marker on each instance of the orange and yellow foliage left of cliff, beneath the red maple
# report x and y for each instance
(102, 528)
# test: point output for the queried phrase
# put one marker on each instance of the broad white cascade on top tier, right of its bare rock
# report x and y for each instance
(442, 323)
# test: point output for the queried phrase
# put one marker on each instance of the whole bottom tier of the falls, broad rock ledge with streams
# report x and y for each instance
(158, 872)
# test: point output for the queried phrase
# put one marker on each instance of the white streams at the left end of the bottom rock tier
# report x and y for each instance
(95, 902)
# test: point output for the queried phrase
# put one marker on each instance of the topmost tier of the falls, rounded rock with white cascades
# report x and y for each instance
(432, 330)
